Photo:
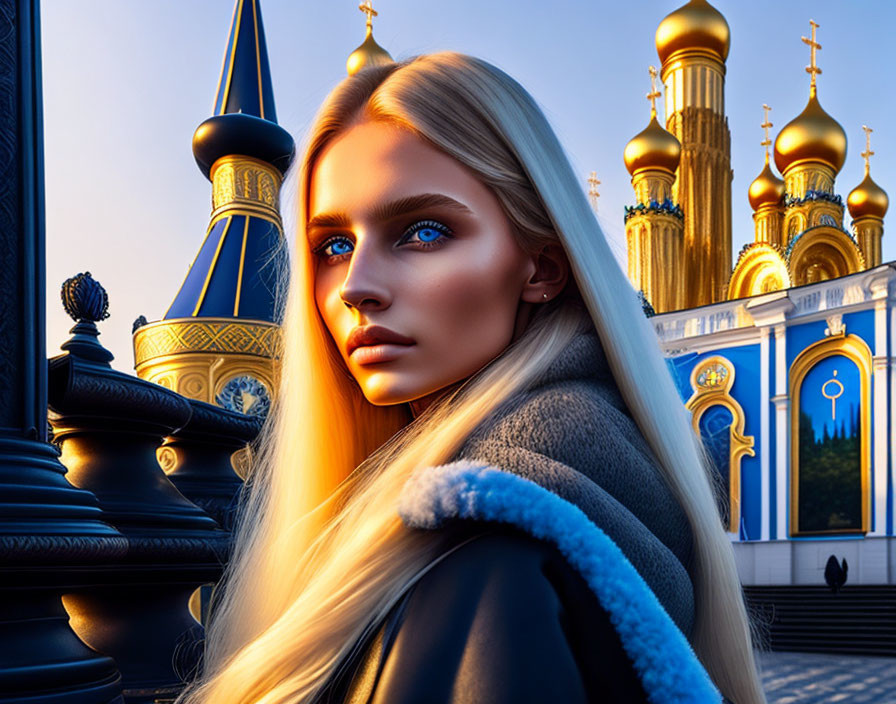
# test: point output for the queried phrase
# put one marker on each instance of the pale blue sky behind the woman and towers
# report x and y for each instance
(126, 82)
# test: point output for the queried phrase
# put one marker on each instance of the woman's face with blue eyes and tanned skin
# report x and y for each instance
(411, 249)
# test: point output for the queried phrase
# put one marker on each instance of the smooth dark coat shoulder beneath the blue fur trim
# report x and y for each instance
(501, 617)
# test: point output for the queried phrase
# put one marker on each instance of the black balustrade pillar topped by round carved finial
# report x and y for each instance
(109, 426)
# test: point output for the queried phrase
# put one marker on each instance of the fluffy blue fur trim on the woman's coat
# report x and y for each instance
(668, 667)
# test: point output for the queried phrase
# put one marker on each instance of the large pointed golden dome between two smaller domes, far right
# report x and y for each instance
(813, 135)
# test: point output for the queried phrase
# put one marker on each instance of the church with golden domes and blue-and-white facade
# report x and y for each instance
(785, 359)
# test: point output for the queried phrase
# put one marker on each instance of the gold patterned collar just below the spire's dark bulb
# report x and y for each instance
(245, 184)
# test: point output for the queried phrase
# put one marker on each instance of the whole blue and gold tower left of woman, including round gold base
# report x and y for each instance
(221, 329)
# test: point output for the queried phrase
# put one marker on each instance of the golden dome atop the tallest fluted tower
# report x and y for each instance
(697, 26)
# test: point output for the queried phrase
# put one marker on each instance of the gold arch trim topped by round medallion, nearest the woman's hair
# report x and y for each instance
(717, 392)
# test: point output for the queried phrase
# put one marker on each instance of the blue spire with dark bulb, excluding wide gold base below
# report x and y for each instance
(244, 152)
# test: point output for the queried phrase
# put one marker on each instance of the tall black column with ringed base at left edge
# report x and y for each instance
(50, 532)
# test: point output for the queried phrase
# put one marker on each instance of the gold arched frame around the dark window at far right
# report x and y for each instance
(857, 351)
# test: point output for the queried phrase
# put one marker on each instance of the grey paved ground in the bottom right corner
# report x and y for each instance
(810, 678)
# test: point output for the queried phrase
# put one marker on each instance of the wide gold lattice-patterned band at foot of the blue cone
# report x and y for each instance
(180, 335)
